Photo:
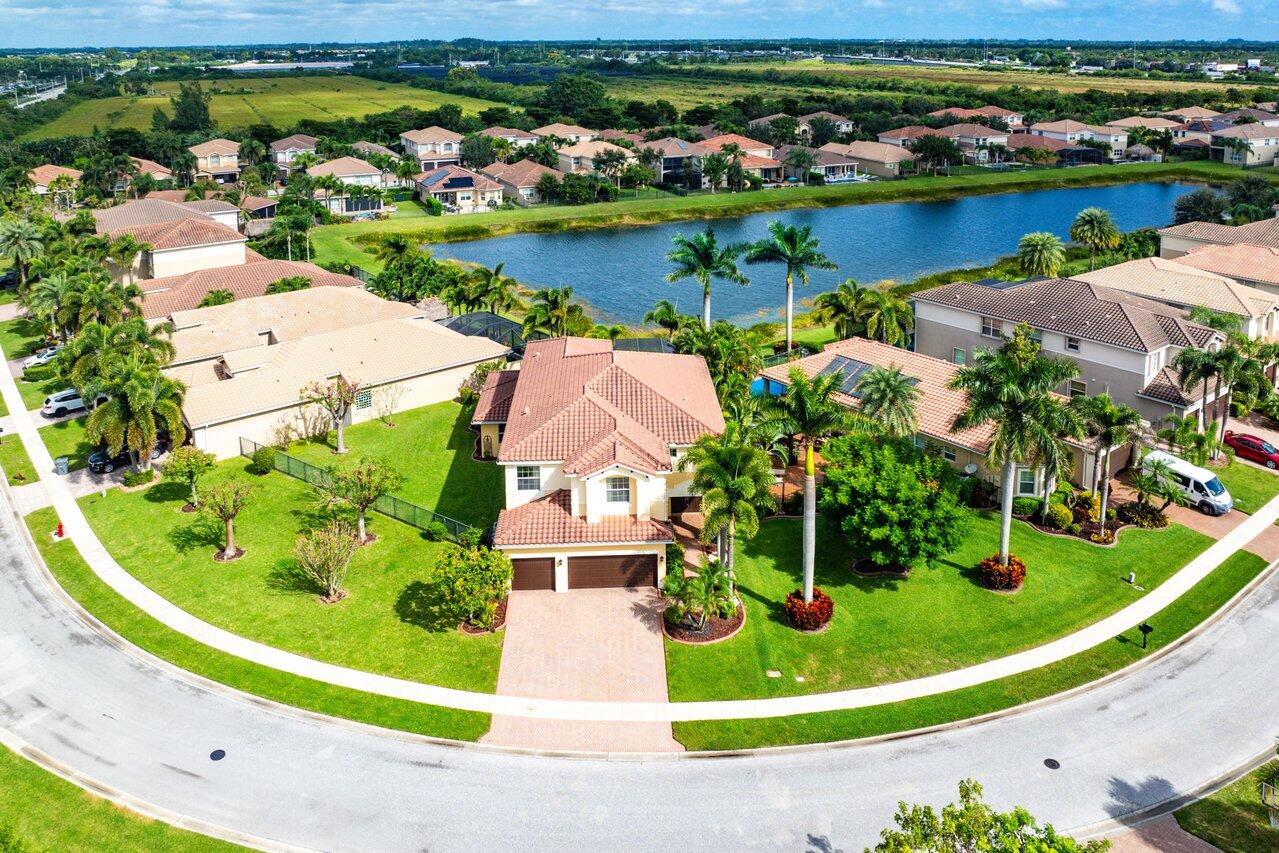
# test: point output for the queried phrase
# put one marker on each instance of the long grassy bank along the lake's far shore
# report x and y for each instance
(349, 242)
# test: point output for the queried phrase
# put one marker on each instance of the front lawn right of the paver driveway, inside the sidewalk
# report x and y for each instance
(933, 622)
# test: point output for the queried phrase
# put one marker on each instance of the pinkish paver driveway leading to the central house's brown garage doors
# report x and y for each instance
(604, 645)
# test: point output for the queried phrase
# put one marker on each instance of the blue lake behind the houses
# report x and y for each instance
(621, 272)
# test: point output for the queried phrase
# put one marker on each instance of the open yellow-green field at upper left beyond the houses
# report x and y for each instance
(282, 102)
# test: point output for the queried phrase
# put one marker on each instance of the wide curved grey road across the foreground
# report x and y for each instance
(288, 779)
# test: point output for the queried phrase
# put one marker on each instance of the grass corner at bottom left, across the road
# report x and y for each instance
(52, 814)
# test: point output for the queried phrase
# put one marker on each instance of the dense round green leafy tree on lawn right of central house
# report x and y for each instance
(896, 505)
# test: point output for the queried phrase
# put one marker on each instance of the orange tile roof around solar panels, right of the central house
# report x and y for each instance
(938, 405)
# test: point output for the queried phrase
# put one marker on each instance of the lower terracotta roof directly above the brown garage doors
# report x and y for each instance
(549, 521)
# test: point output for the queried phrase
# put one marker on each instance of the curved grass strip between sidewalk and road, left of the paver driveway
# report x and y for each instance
(79, 580)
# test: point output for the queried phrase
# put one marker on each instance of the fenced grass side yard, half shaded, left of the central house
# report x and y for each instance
(433, 448)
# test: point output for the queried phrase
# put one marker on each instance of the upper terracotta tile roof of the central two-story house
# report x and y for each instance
(580, 402)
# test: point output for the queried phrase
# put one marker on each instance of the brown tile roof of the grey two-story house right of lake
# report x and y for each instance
(1080, 310)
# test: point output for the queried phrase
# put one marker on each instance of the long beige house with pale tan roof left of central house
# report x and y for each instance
(259, 354)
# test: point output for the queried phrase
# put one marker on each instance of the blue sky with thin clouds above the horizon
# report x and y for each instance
(65, 24)
